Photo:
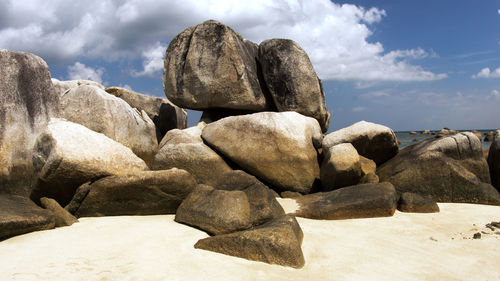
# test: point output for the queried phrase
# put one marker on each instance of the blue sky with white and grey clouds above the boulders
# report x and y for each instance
(409, 65)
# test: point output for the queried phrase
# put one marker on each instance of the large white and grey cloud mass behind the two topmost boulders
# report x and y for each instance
(334, 35)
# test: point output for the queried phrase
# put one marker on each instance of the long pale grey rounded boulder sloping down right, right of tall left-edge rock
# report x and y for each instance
(103, 113)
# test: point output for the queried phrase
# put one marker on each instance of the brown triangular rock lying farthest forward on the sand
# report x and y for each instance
(276, 242)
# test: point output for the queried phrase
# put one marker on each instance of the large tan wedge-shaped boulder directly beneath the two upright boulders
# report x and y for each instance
(278, 148)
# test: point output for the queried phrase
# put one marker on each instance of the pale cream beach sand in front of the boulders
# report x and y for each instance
(403, 247)
